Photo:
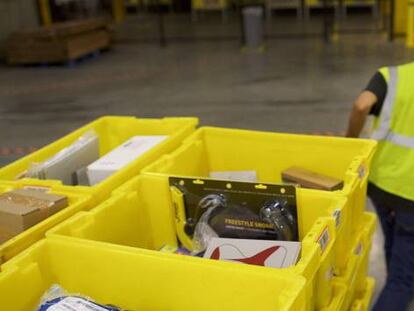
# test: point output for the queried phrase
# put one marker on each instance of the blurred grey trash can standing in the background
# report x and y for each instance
(253, 29)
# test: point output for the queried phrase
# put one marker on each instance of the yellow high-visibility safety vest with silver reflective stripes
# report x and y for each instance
(393, 164)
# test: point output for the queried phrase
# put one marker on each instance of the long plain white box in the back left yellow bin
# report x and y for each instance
(121, 157)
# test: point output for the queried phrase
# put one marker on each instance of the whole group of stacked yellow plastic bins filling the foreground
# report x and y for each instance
(108, 250)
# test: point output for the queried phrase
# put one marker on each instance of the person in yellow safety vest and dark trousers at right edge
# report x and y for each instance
(390, 98)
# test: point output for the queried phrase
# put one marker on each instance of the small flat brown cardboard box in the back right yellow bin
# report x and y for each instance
(311, 180)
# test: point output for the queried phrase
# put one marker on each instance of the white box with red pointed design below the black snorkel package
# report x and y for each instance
(275, 254)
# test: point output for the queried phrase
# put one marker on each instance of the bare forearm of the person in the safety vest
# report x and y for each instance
(362, 106)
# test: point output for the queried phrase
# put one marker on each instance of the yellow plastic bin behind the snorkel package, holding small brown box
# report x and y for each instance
(268, 154)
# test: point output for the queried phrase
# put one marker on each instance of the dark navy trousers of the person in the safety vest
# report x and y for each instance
(397, 221)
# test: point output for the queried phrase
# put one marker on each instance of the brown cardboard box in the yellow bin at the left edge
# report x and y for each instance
(21, 209)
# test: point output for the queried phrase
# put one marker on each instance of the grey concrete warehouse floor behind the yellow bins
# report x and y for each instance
(297, 85)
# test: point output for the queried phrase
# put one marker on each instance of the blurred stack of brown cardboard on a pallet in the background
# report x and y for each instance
(60, 42)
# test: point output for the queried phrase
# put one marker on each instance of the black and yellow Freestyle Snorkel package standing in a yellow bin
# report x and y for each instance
(239, 210)
